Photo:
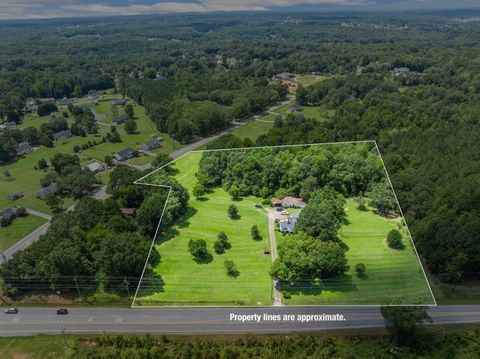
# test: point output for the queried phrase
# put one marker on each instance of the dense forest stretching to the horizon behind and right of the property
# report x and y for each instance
(197, 73)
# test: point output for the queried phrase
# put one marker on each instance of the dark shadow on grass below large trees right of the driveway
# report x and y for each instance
(341, 284)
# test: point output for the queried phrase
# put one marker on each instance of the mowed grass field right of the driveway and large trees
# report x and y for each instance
(392, 276)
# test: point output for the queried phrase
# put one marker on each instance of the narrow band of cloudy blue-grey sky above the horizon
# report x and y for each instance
(42, 9)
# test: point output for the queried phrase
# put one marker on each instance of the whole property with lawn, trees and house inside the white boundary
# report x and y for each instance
(325, 215)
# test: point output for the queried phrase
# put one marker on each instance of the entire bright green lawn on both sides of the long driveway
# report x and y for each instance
(392, 276)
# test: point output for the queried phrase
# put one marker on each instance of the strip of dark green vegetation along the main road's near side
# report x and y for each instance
(461, 344)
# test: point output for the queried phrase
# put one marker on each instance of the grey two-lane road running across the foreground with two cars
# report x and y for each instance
(31, 321)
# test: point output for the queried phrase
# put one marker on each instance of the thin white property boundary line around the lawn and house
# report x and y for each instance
(139, 182)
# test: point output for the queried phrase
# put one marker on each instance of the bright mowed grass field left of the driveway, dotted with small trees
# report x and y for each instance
(179, 280)
